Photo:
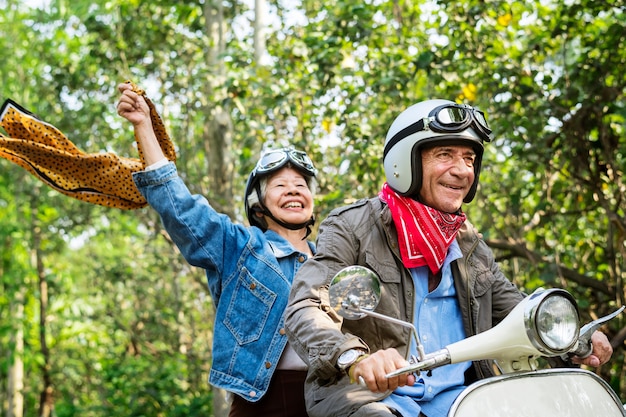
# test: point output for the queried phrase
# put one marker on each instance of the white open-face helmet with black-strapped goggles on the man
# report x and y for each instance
(431, 122)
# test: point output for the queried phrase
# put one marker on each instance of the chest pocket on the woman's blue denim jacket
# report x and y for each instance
(249, 308)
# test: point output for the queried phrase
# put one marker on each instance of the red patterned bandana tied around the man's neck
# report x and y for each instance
(424, 234)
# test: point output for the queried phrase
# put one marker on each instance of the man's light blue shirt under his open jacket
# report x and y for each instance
(438, 322)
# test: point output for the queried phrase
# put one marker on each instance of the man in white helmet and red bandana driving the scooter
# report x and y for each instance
(436, 272)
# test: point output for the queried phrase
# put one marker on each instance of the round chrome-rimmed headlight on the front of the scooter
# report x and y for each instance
(552, 321)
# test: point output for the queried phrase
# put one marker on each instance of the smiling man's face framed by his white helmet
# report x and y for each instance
(447, 176)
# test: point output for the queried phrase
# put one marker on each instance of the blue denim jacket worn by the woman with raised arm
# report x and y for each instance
(249, 275)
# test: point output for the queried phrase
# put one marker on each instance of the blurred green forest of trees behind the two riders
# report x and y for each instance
(100, 315)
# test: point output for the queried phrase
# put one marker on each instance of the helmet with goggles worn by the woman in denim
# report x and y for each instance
(270, 162)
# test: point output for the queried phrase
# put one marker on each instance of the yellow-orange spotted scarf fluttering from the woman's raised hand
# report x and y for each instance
(99, 178)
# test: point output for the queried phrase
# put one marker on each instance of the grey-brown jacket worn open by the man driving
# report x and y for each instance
(363, 234)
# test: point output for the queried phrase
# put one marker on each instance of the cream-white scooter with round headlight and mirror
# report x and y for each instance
(544, 324)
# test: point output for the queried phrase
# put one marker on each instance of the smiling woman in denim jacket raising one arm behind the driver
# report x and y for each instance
(249, 269)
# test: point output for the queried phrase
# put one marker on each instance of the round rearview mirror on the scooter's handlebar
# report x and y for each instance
(354, 291)
